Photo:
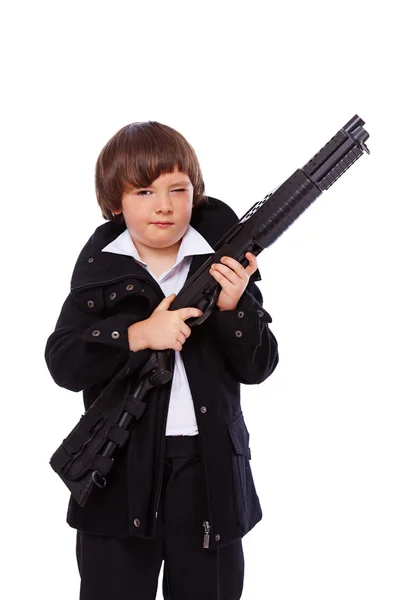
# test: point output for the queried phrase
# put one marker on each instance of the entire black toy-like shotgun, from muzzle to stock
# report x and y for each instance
(85, 456)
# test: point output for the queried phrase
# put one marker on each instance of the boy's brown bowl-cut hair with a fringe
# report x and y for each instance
(137, 155)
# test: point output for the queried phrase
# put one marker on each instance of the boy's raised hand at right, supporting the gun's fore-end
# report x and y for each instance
(233, 279)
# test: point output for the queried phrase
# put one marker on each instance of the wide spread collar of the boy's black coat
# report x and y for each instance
(95, 267)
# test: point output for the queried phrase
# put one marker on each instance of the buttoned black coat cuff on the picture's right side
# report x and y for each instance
(244, 325)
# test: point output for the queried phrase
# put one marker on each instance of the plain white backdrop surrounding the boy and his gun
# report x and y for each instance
(257, 89)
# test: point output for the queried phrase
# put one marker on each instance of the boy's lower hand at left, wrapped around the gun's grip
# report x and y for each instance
(163, 329)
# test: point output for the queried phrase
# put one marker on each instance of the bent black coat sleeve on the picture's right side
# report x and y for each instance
(243, 335)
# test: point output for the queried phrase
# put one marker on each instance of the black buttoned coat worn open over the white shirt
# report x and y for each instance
(89, 351)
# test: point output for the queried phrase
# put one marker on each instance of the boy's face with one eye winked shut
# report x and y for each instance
(168, 199)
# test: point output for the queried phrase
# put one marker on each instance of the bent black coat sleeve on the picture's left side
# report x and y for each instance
(84, 351)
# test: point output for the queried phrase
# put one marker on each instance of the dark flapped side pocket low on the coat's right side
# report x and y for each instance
(247, 504)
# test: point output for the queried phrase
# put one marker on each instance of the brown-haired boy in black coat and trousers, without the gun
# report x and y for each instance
(181, 489)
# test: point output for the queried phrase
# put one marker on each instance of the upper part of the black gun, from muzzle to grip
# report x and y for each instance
(266, 220)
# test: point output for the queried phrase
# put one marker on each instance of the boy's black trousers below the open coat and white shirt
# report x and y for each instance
(128, 568)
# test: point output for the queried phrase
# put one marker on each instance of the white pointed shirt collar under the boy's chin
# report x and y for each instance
(192, 243)
